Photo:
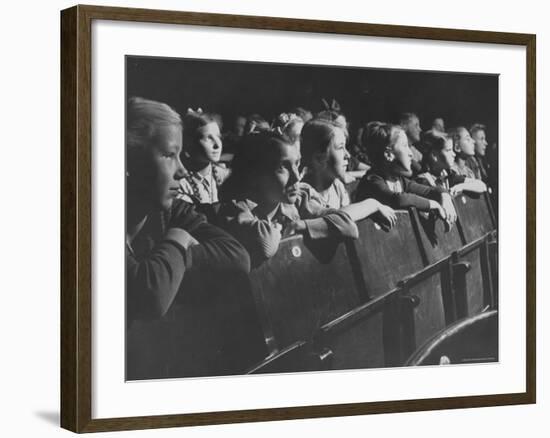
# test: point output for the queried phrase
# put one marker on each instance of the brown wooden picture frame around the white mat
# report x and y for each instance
(76, 217)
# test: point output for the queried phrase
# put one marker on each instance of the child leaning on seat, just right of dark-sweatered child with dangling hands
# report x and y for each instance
(439, 158)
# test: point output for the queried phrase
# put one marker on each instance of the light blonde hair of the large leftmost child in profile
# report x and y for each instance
(143, 117)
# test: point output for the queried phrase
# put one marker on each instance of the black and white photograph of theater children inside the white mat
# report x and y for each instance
(285, 218)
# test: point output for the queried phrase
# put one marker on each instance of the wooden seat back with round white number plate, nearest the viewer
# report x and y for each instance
(305, 285)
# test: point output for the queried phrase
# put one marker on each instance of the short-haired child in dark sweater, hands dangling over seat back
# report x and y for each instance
(389, 181)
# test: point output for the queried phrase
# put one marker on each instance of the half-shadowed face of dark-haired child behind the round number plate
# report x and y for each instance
(279, 182)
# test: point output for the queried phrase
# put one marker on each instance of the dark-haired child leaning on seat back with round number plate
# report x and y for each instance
(264, 200)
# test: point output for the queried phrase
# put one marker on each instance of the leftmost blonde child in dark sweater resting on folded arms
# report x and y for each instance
(166, 240)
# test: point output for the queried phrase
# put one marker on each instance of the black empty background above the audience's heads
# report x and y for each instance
(231, 88)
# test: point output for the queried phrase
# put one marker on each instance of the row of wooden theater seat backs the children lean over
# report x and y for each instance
(373, 302)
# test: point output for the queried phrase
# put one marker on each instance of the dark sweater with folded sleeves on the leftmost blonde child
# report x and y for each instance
(155, 266)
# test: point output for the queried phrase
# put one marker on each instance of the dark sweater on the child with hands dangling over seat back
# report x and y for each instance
(375, 185)
